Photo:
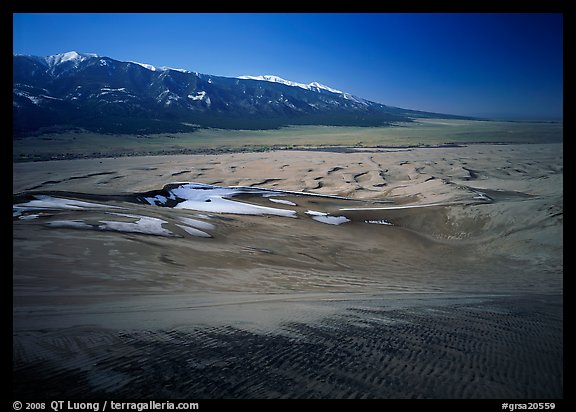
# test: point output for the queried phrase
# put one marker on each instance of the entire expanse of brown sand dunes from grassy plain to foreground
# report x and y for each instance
(444, 279)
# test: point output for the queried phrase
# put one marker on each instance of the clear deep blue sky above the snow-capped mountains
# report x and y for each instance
(507, 65)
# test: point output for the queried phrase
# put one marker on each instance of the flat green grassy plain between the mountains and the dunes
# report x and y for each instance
(424, 132)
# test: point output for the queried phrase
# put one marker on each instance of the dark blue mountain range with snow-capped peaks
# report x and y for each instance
(100, 94)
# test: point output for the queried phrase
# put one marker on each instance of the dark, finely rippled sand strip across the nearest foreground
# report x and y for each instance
(490, 349)
